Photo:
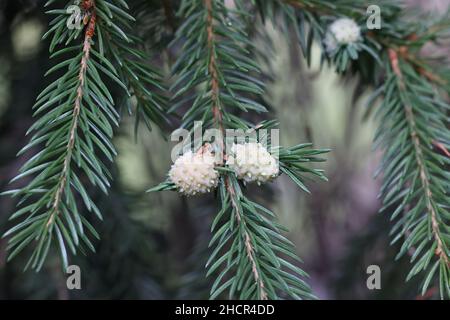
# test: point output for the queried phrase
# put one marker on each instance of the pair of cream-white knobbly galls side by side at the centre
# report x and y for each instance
(194, 173)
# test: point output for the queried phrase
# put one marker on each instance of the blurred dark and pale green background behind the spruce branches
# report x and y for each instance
(153, 246)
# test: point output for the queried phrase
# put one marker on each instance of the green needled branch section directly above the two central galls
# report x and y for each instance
(229, 52)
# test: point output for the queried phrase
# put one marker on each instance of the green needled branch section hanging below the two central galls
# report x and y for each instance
(247, 240)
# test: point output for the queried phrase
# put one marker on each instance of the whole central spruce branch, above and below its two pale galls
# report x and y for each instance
(214, 72)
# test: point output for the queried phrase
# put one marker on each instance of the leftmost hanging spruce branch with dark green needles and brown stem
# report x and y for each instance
(68, 133)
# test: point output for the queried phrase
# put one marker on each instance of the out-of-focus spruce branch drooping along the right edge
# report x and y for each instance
(413, 130)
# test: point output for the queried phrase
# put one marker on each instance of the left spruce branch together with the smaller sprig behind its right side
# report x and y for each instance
(77, 116)
